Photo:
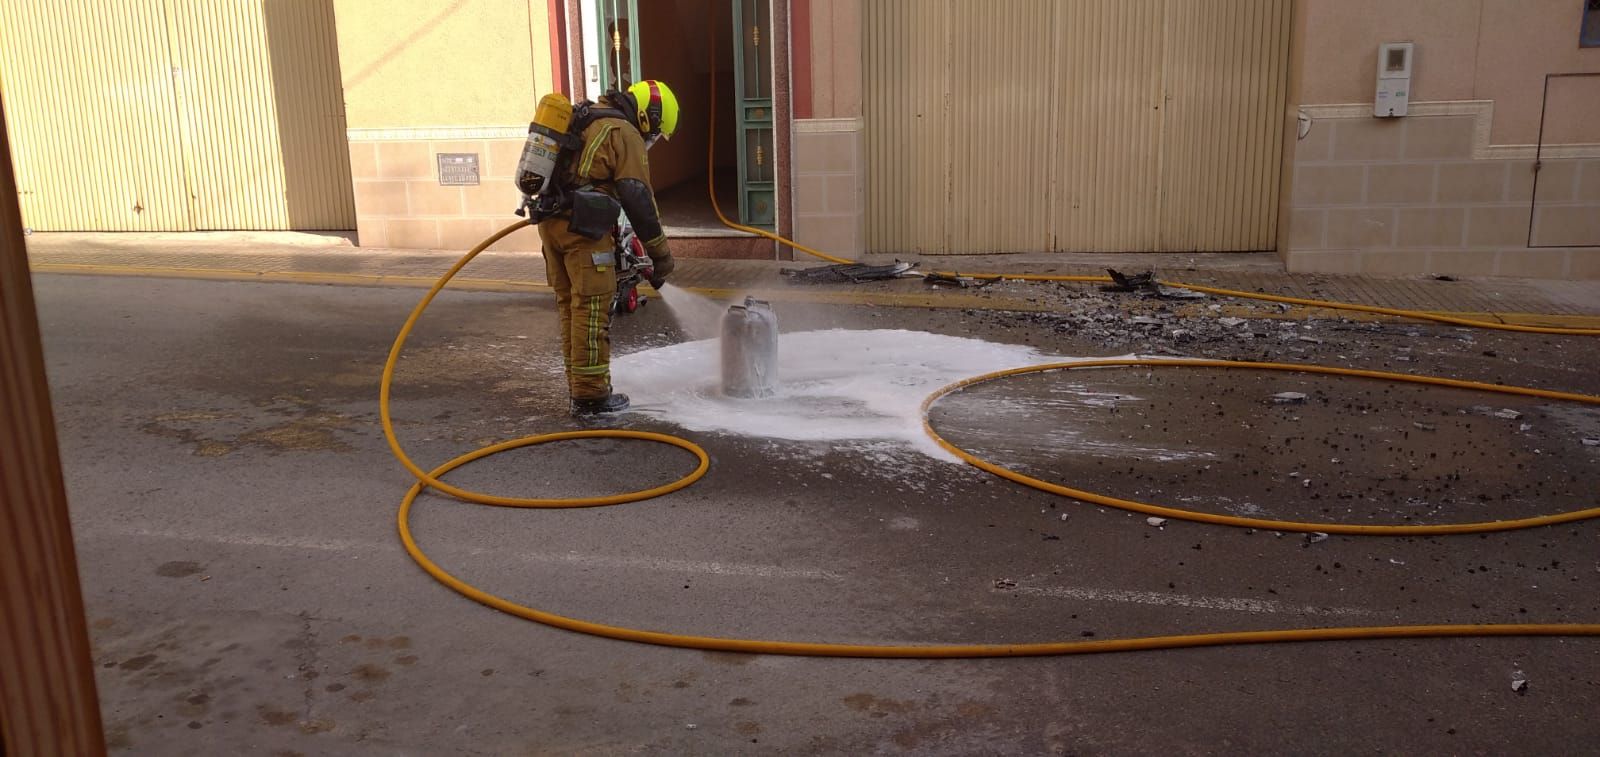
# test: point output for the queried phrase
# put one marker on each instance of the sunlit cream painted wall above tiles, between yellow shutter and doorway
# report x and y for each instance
(430, 63)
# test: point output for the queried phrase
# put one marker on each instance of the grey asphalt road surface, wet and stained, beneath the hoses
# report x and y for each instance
(234, 505)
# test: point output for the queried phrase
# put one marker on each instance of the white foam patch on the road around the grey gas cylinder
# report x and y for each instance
(833, 387)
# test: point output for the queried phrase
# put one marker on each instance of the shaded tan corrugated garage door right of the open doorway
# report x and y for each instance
(1074, 126)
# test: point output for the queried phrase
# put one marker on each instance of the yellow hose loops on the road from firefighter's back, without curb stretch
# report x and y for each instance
(959, 651)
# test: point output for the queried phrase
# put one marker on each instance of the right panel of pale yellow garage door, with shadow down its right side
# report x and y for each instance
(258, 84)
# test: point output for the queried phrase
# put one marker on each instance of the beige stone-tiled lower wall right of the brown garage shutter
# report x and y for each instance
(1425, 196)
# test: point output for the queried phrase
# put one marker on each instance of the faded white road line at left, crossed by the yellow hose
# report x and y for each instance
(586, 561)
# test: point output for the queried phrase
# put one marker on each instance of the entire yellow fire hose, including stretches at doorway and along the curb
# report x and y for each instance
(983, 651)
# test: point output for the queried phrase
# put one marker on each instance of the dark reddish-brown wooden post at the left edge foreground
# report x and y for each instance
(47, 678)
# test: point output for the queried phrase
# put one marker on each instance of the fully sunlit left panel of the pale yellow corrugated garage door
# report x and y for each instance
(89, 100)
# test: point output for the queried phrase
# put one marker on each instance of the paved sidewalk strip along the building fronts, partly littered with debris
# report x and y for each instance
(318, 258)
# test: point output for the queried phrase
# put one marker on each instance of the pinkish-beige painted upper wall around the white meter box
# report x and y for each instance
(1495, 50)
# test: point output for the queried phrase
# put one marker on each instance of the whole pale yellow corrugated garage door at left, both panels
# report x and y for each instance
(177, 114)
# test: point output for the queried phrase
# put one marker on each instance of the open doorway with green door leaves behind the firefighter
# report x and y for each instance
(671, 41)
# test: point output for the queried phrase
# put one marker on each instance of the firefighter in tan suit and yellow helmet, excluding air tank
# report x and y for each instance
(610, 170)
